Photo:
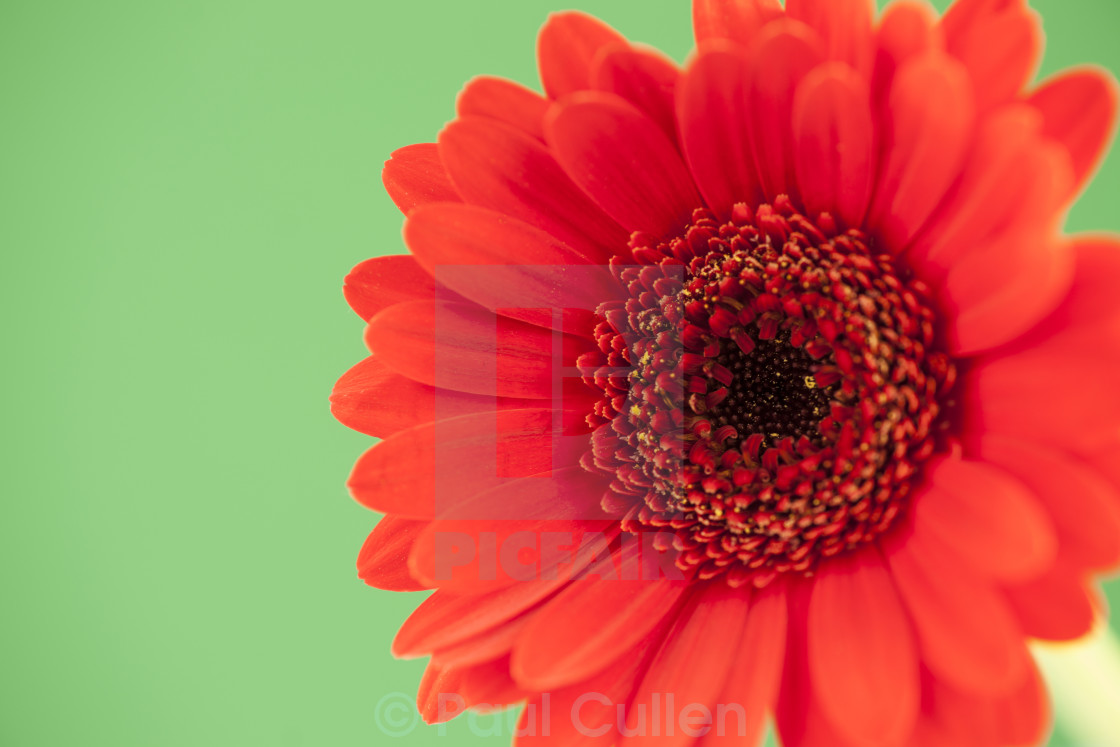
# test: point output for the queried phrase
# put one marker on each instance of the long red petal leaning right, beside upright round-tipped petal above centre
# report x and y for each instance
(930, 133)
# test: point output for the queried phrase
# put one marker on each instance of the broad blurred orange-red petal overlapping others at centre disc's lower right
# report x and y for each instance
(988, 519)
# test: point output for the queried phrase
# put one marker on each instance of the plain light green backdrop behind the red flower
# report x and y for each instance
(184, 188)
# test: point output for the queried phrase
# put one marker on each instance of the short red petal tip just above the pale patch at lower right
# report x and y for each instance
(1054, 608)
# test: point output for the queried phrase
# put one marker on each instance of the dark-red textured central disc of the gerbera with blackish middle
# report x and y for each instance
(781, 391)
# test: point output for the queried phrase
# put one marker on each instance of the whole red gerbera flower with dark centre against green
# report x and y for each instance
(768, 385)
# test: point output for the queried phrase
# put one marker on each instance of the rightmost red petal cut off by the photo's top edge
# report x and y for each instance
(1000, 41)
